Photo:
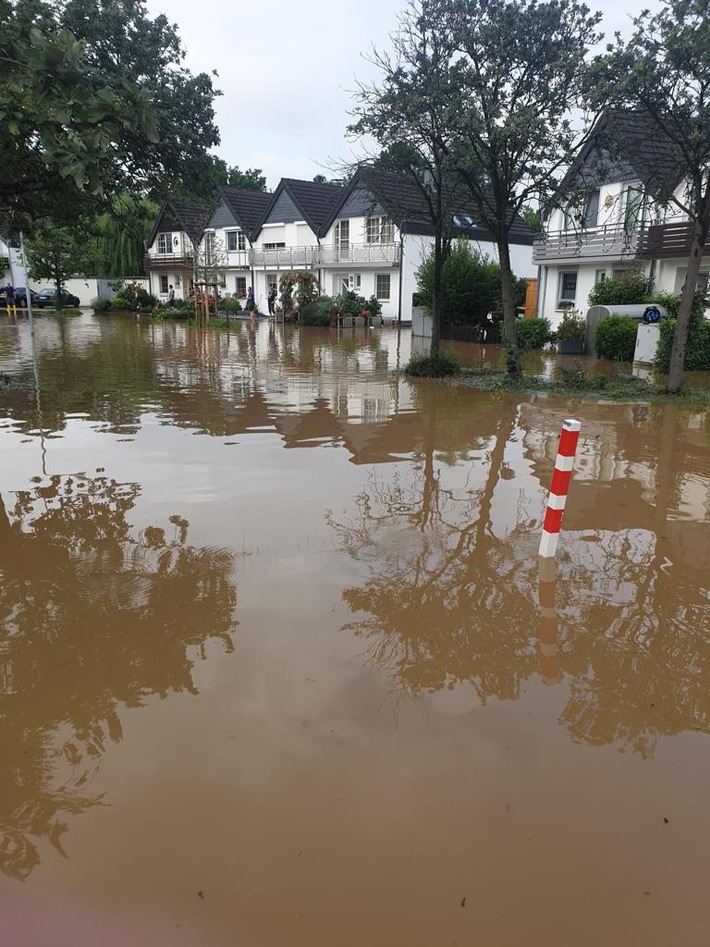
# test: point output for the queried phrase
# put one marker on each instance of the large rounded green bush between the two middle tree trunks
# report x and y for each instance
(470, 285)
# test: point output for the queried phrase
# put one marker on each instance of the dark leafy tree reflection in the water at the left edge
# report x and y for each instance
(92, 617)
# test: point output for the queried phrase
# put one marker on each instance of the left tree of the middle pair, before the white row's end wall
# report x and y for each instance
(409, 113)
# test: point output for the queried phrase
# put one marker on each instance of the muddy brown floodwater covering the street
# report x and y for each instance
(274, 670)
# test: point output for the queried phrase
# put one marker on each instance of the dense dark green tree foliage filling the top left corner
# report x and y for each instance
(94, 98)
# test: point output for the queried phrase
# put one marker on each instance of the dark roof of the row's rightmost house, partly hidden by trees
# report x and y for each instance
(402, 200)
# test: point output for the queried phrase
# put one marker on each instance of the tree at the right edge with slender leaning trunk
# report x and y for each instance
(664, 71)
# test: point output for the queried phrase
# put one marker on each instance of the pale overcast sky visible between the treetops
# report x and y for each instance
(287, 68)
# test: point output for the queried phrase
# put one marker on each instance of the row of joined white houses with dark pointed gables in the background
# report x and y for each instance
(370, 237)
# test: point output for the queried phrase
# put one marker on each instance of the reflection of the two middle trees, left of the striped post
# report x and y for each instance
(446, 595)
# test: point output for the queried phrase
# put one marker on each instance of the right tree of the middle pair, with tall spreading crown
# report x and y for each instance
(518, 66)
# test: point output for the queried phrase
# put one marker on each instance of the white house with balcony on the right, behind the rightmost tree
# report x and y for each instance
(618, 217)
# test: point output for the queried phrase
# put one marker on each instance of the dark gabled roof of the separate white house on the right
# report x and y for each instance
(625, 144)
